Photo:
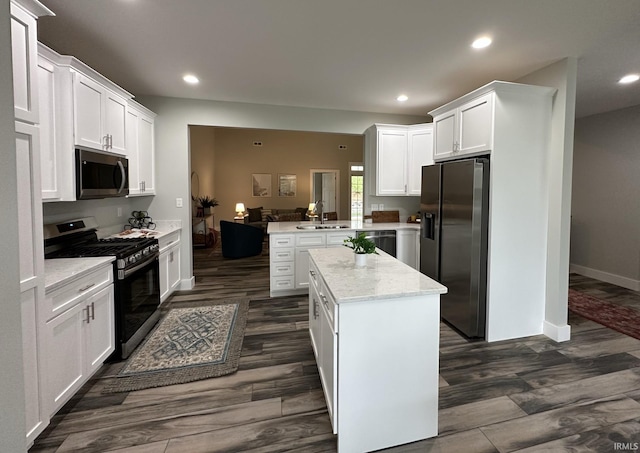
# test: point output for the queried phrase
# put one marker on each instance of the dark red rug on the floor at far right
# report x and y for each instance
(623, 319)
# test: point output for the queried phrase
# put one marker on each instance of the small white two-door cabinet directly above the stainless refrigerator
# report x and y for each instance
(464, 130)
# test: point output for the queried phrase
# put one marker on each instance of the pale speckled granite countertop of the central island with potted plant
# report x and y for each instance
(384, 277)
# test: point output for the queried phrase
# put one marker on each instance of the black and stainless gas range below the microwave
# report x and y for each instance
(136, 274)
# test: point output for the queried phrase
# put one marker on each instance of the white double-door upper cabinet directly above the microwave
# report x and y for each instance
(99, 116)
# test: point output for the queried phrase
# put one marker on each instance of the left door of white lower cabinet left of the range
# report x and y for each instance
(64, 344)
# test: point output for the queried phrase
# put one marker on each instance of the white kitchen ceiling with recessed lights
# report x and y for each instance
(348, 54)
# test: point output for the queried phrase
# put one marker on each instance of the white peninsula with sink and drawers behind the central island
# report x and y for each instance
(289, 244)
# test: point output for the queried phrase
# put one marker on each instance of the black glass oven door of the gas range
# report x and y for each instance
(137, 303)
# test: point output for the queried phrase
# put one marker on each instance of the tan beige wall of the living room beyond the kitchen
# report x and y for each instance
(282, 152)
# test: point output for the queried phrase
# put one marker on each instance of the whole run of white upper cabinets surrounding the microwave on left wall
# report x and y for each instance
(78, 107)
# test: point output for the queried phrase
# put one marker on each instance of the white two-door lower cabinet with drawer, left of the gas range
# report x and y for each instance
(78, 340)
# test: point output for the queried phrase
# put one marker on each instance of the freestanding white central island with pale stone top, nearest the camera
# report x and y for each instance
(375, 334)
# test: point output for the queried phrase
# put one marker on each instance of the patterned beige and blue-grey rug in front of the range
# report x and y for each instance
(187, 345)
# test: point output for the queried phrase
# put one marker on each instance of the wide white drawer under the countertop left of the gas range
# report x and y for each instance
(67, 296)
